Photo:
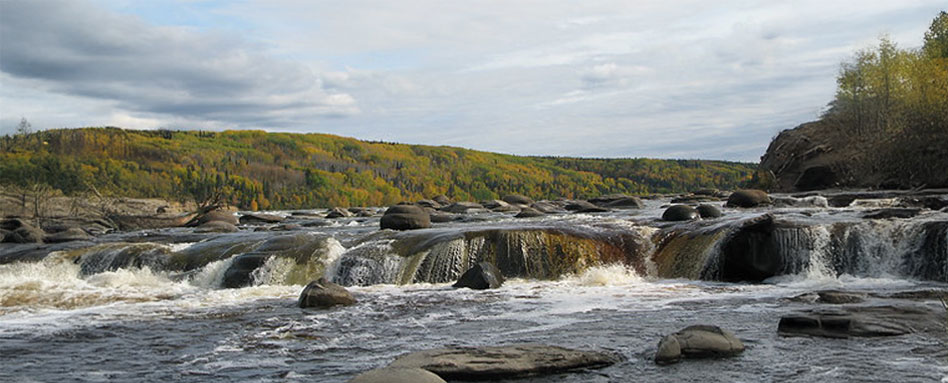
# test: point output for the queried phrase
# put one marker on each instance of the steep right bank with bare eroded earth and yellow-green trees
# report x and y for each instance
(887, 127)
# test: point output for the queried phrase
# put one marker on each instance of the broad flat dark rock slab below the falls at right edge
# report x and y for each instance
(863, 321)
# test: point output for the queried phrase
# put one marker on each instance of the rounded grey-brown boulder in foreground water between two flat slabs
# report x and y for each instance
(699, 341)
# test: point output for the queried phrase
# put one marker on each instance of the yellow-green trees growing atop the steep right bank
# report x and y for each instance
(892, 104)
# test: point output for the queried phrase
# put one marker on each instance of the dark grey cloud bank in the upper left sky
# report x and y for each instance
(77, 49)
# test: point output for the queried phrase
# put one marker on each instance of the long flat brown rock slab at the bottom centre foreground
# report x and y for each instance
(514, 361)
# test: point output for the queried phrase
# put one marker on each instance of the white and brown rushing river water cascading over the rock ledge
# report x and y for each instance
(151, 306)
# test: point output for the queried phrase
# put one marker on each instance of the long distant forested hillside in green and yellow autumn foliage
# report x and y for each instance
(259, 170)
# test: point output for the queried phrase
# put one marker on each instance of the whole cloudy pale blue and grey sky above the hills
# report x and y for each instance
(661, 79)
